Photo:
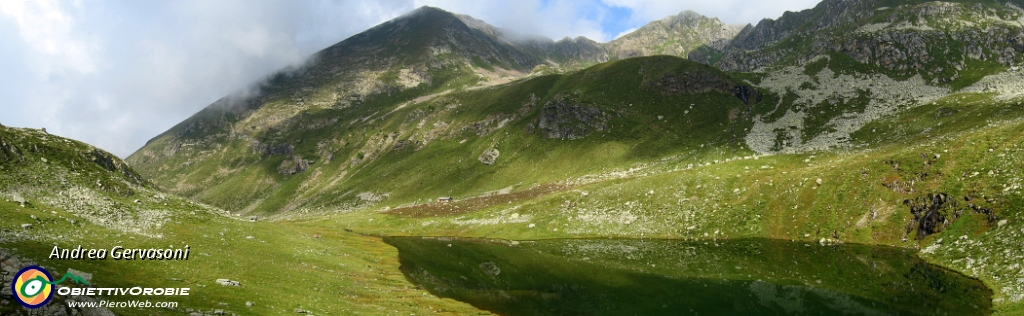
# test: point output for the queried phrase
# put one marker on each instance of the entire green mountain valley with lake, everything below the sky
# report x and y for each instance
(884, 133)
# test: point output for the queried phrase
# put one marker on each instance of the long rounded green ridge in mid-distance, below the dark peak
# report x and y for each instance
(610, 115)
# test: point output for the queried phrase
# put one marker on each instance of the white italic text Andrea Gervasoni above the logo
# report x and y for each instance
(119, 253)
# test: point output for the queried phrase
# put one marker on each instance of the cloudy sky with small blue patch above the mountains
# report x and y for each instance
(115, 75)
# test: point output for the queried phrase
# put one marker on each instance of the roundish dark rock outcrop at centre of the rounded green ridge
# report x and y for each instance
(561, 119)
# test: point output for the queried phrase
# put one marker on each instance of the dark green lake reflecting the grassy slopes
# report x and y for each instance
(673, 278)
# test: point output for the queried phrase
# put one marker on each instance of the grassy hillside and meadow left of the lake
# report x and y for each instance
(57, 192)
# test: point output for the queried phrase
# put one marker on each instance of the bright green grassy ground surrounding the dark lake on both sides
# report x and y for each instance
(886, 196)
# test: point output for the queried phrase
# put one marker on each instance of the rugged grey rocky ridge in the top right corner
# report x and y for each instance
(935, 38)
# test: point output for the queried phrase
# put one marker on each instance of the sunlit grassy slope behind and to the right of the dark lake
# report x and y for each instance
(883, 196)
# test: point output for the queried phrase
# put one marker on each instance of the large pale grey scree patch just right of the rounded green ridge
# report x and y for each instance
(869, 98)
